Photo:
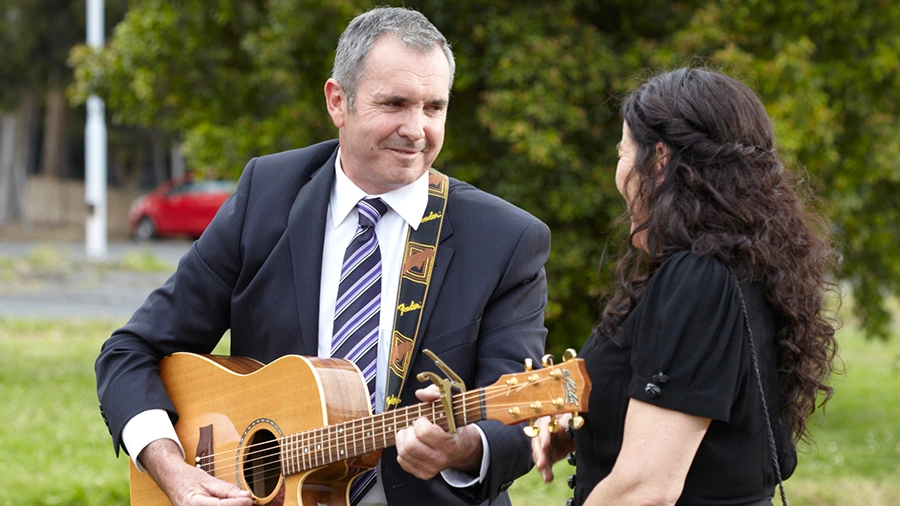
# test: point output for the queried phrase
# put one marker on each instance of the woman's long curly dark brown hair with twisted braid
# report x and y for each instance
(723, 191)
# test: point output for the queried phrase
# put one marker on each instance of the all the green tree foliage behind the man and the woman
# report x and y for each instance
(534, 112)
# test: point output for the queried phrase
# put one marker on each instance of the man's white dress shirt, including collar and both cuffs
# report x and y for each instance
(406, 208)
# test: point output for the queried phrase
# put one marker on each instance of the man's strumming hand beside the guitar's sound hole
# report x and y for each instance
(186, 485)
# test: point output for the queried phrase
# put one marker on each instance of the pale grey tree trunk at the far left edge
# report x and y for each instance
(17, 135)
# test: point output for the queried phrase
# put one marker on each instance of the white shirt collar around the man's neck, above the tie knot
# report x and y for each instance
(408, 201)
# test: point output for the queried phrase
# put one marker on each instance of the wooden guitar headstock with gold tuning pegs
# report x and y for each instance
(551, 390)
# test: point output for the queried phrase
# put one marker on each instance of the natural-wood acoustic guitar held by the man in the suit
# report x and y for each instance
(299, 430)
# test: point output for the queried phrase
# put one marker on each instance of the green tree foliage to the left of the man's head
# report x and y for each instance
(240, 79)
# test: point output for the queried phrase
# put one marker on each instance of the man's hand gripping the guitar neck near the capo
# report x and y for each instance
(424, 449)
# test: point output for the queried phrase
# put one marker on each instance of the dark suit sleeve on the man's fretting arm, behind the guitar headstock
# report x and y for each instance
(512, 326)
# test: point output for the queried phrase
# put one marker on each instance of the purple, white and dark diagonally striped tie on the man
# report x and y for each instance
(357, 309)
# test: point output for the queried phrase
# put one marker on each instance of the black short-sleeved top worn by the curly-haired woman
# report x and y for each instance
(689, 327)
